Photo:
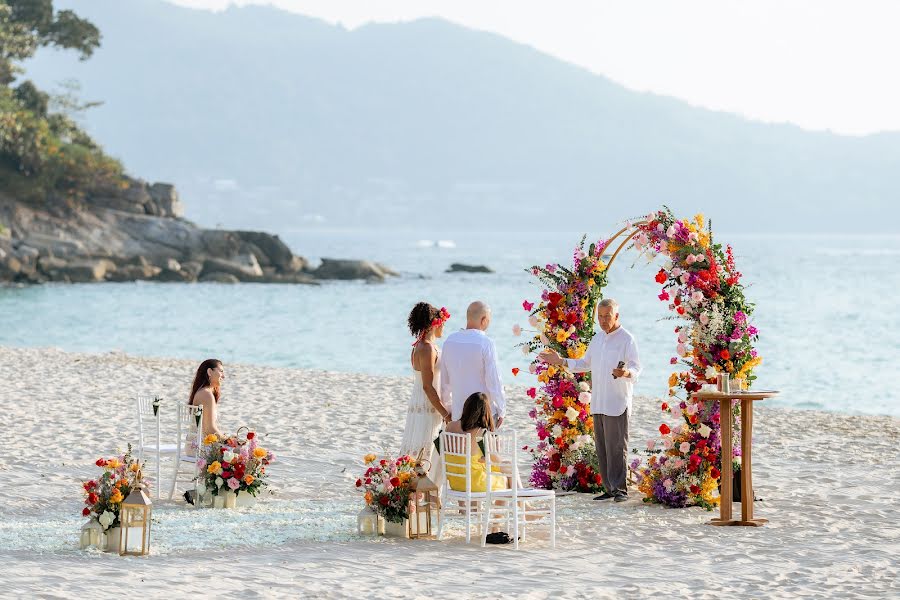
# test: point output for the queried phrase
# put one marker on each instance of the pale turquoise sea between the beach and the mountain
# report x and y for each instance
(826, 308)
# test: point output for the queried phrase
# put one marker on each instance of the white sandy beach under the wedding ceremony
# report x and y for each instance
(830, 486)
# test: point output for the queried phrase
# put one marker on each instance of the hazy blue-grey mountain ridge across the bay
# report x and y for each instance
(268, 119)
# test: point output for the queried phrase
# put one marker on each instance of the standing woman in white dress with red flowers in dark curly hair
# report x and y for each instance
(425, 413)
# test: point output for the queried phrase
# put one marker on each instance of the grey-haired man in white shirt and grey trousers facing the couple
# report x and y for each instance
(612, 388)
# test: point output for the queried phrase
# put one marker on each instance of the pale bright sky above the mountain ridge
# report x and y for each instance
(822, 64)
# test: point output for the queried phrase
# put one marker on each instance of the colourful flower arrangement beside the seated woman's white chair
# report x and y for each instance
(232, 464)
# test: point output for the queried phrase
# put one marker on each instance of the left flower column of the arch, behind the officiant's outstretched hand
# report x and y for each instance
(564, 457)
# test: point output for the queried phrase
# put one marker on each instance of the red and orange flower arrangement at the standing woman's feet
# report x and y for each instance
(388, 485)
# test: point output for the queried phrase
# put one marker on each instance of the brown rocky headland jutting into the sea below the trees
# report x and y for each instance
(137, 232)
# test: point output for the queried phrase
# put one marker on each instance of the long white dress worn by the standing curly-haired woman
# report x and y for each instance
(423, 423)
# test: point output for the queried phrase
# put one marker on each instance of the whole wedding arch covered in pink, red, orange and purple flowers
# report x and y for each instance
(702, 289)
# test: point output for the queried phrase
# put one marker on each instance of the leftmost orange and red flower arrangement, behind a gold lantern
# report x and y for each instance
(103, 496)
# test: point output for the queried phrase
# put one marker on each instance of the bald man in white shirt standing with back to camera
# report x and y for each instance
(469, 365)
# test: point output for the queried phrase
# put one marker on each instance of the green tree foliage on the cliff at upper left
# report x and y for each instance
(44, 153)
